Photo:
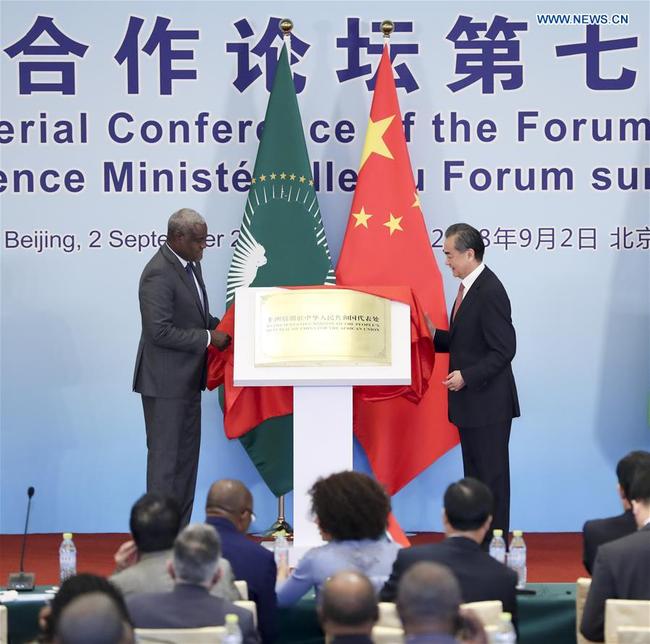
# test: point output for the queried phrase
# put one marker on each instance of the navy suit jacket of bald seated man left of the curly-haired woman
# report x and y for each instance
(254, 564)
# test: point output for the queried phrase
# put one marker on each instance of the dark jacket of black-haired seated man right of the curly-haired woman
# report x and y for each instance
(480, 576)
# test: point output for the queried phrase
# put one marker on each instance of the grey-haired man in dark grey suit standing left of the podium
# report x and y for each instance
(170, 369)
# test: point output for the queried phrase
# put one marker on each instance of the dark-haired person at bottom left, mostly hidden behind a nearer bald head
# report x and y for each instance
(71, 589)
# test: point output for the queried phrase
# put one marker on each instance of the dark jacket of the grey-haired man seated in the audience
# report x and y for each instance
(187, 606)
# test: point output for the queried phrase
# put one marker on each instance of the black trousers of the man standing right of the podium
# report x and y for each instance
(485, 457)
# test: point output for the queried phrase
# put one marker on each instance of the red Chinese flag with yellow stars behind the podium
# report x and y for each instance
(386, 243)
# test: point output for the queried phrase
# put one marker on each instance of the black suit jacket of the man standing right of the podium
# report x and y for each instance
(481, 344)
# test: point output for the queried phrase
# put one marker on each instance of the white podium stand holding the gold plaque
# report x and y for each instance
(322, 399)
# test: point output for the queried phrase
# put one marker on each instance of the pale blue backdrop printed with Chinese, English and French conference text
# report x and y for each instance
(529, 124)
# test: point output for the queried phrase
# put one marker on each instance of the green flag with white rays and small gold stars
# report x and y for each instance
(281, 242)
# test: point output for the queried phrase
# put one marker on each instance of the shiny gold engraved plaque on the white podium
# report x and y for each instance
(314, 327)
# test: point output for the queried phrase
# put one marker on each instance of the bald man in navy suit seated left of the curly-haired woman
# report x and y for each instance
(229, 510)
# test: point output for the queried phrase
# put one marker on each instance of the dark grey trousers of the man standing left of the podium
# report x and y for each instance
(173, 442)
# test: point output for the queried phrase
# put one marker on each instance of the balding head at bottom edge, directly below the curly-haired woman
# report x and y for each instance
(347, 608)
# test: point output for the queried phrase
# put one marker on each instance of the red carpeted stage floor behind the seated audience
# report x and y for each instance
(552, 557)
